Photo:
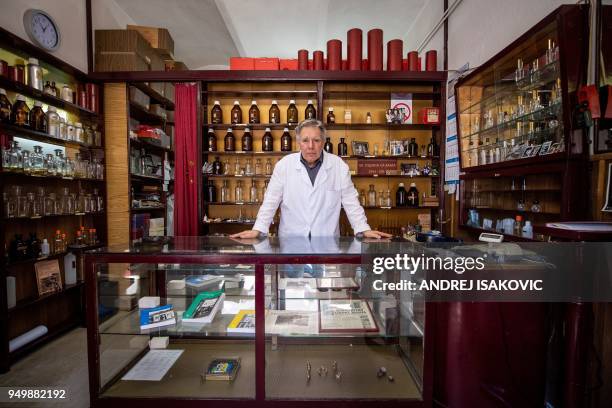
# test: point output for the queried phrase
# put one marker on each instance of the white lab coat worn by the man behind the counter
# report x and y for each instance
(307, 209)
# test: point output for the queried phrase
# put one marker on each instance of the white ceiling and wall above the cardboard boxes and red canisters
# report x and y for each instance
(207, 32)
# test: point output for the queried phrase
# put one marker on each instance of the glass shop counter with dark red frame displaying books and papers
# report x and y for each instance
(273, 321)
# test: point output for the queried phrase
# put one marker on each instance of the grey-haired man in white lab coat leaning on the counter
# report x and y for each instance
(310, 186)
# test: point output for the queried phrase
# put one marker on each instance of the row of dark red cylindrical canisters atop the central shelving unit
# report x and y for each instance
(374, 61)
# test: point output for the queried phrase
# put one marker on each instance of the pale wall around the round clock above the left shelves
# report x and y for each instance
(68, 14)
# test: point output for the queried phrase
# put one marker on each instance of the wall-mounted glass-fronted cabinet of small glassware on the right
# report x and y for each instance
(517, 107)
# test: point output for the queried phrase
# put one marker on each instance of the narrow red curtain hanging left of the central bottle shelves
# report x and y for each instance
(186, 161)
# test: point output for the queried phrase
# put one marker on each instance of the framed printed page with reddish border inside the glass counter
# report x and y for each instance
(345, 316)
